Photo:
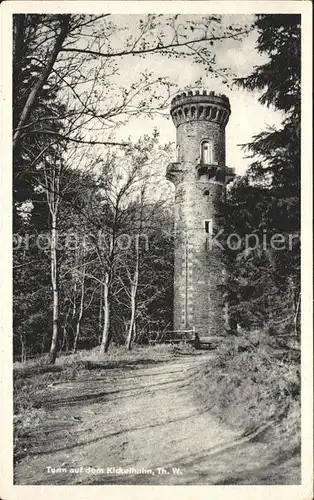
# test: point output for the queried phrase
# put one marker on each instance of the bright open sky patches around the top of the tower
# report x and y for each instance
(248, 117)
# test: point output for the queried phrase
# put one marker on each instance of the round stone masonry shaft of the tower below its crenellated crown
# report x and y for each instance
(198, 298)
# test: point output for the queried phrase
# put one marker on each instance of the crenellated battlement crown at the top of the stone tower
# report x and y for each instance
(200, 104)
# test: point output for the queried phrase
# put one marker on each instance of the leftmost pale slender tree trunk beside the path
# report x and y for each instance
(55, 291)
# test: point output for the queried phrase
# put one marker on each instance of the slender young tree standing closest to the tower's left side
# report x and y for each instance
(143, 270)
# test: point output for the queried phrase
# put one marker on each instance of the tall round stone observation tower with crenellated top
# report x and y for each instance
(199, 175)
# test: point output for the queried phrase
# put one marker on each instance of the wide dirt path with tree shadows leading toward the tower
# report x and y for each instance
(147, 420)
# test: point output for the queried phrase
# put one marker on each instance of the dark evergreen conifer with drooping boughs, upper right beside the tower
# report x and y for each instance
(279, 80)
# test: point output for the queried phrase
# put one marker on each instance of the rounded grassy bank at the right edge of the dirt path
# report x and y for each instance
(249, 383)
